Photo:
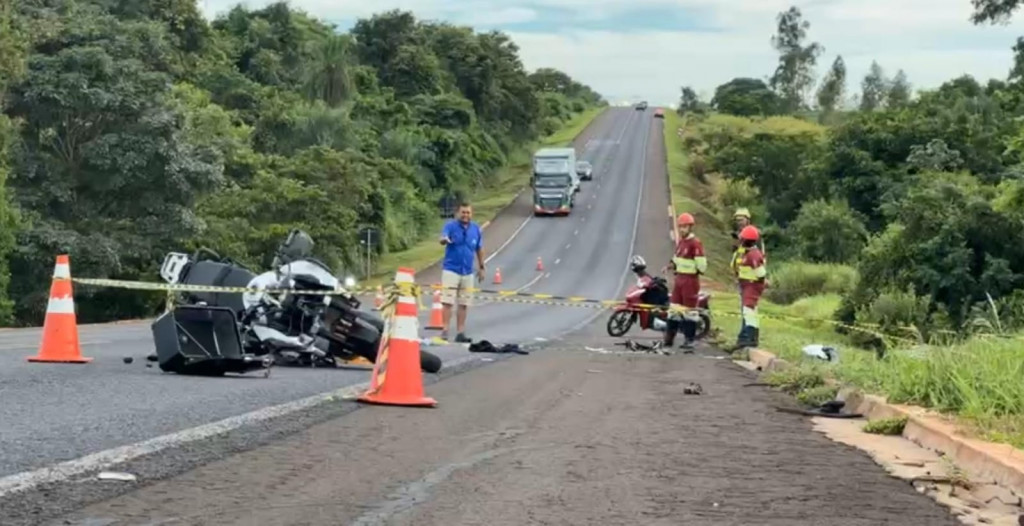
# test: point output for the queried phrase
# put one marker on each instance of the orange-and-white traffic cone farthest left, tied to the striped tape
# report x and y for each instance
(61, 327)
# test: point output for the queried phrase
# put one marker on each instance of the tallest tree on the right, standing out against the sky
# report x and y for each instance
(795, 74)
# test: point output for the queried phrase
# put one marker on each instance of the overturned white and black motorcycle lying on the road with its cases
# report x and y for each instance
(312, 330)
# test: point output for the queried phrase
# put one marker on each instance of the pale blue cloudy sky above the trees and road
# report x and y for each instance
(647, 50)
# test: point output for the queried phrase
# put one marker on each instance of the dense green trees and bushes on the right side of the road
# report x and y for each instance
(923, 195)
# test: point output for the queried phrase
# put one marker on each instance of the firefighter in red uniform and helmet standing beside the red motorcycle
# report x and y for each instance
(690, 262)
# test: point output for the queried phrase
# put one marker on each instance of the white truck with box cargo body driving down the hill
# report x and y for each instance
(556, 182)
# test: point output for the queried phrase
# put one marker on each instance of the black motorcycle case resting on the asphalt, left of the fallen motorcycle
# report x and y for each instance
(203, 341)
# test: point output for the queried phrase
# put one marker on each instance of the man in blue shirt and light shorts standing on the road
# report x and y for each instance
(462, 240)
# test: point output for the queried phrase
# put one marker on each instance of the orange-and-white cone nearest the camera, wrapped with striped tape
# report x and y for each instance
(397, 379)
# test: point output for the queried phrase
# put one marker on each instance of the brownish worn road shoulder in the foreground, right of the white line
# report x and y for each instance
(563, 436)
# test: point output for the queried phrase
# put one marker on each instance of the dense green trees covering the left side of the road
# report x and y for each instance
(134, 128)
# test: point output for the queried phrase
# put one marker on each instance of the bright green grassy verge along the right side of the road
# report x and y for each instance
(977, 383)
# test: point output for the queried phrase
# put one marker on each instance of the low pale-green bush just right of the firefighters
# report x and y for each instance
(793, 281)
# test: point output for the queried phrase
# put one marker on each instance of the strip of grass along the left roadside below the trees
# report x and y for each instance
(487, 202)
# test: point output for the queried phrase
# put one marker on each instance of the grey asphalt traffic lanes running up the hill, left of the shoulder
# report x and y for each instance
(56, 413)
